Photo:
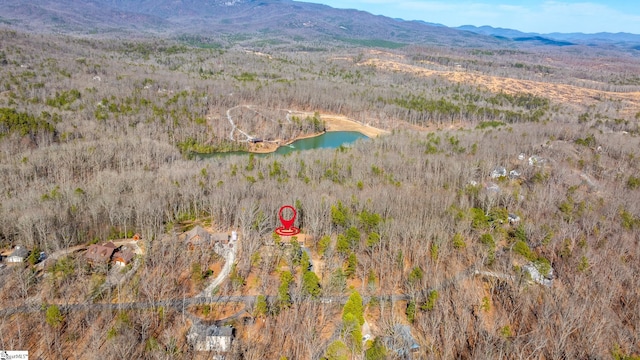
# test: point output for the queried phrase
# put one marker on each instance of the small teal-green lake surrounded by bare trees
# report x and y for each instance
(328, 140)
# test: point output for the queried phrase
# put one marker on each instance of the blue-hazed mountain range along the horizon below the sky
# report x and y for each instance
(265, 18)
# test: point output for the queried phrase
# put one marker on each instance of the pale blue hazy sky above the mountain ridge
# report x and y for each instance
(588, 16)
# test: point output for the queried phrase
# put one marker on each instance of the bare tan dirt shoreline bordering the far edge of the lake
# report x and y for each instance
(333, 123)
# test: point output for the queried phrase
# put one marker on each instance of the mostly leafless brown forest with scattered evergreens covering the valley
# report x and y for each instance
(497, 161)
